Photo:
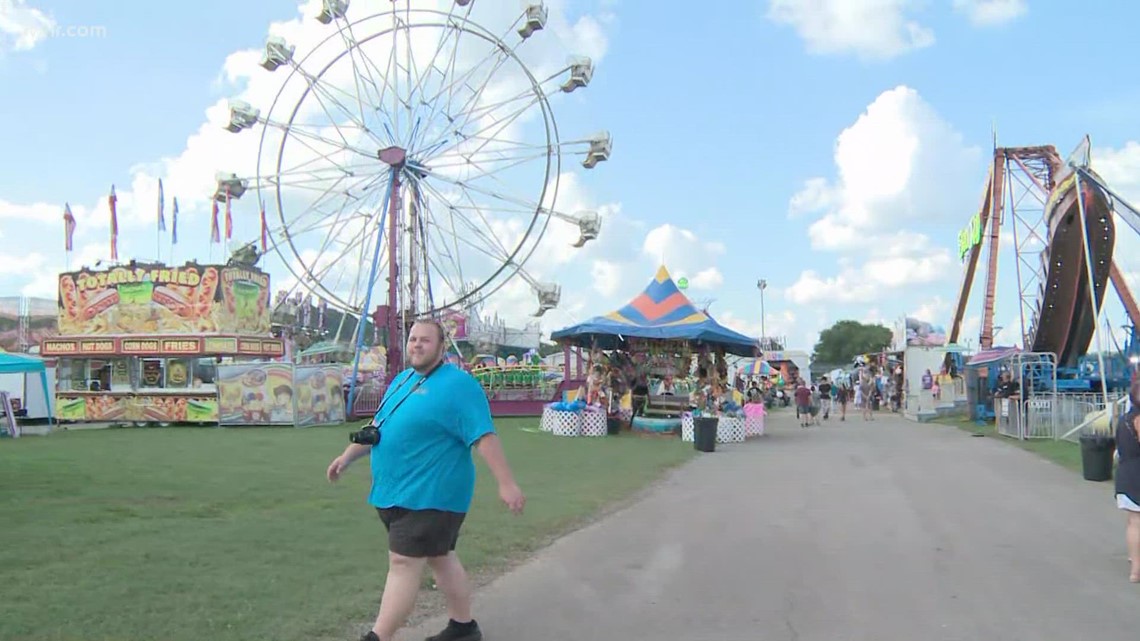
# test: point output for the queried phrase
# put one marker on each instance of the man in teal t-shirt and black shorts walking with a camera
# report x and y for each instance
(424, 481)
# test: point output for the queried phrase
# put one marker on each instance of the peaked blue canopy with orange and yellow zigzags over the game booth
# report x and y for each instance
(661, 312)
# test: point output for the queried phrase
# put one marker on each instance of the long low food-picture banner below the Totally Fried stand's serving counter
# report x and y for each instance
(158, 409)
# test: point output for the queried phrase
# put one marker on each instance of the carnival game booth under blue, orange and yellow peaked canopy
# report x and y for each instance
(655, 338)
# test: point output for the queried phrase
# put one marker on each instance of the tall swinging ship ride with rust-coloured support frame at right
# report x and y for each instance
(1063, 218)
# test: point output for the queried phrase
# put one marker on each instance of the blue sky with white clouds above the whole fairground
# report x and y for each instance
(833, 148)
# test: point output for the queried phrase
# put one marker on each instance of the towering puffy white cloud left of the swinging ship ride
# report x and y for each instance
(900, 163)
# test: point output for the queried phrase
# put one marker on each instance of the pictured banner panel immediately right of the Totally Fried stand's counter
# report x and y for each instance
(256, 394)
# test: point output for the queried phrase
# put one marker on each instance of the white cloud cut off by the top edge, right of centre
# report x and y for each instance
(873, 30)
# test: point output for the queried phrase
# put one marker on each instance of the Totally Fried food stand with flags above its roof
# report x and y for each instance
(143, 343)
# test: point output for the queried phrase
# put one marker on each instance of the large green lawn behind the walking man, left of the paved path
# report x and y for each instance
(235, 535)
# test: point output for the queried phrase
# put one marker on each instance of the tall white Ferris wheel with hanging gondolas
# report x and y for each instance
(413, 157)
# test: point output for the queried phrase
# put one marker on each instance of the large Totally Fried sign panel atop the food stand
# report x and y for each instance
(157, 299)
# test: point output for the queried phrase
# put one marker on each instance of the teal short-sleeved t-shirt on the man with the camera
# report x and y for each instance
(424, 459)
